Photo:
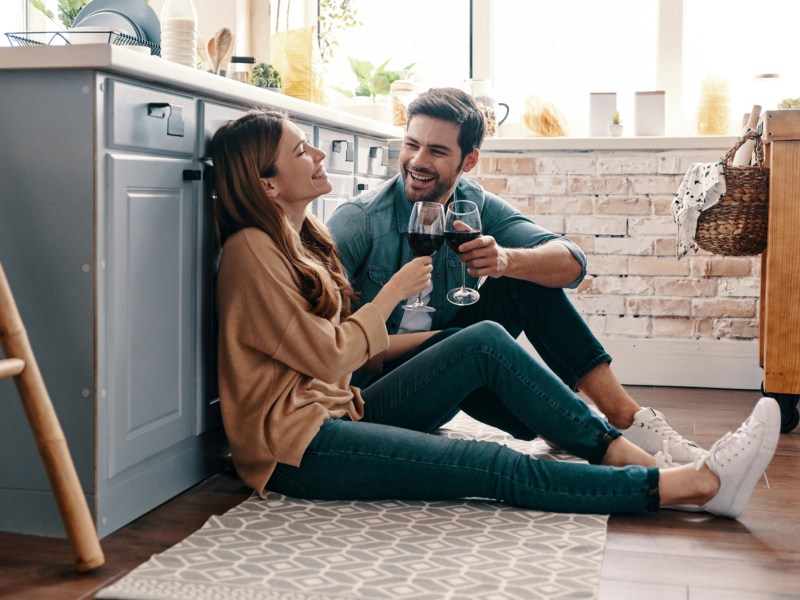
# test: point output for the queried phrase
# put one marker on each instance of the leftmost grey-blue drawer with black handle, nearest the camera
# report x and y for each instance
(144, 118)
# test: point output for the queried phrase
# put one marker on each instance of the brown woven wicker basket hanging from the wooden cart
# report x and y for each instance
(737, 224)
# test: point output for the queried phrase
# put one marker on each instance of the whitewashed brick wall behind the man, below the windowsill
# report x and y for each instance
(616, 206)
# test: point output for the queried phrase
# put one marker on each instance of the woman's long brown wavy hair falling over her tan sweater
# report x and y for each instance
(243, 152)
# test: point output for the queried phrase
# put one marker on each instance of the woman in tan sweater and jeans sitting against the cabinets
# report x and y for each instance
(288, 346)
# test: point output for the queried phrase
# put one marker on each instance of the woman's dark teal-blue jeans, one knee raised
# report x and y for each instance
(392, 454)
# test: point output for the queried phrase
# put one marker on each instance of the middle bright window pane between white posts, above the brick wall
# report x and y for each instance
(561, 51)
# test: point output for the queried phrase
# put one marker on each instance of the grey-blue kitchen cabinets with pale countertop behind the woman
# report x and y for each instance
(107, 240)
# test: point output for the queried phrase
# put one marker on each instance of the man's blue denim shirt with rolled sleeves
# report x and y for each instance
(371, 233)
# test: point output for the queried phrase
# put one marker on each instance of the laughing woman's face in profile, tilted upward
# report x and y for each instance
(300, 176)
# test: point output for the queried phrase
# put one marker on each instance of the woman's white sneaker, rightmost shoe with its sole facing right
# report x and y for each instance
(739, 458)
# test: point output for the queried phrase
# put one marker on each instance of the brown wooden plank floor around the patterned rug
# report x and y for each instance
(664, 556)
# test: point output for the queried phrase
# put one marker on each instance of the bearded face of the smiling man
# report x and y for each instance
(430, 159)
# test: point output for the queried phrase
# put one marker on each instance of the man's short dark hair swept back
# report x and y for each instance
(456, 106)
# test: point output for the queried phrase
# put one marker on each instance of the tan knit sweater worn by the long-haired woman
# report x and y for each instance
(282, 370)
